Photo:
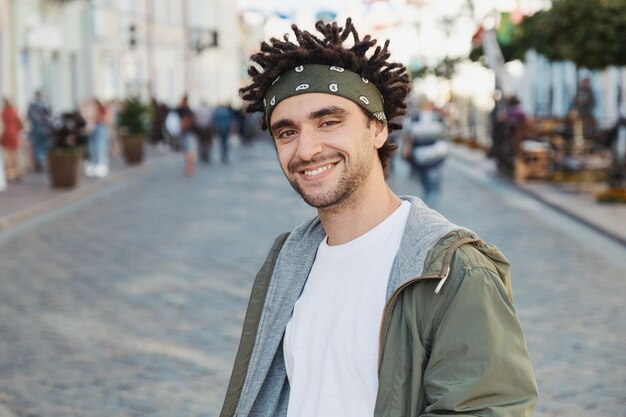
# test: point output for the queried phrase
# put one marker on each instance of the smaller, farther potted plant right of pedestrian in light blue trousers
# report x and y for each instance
(132, 124)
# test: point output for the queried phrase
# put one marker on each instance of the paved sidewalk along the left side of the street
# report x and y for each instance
(33, 196)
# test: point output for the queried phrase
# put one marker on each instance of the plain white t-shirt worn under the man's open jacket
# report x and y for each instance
(331, 340)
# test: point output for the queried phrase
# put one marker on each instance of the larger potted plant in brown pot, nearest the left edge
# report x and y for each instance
(68, 139)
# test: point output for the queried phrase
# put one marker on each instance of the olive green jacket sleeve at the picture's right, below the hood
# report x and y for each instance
(479, 363)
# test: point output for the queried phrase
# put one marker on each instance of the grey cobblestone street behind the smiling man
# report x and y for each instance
(130, 302)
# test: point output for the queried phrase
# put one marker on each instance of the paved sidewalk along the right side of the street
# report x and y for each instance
(576, 201)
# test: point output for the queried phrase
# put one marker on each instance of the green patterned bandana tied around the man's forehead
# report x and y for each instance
(315, 78)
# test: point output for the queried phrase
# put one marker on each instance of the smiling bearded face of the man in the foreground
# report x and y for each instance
(326, 146)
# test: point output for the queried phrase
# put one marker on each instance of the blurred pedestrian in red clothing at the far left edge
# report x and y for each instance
(10, 141)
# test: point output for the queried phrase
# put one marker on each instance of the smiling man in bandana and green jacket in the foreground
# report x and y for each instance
(379, 306)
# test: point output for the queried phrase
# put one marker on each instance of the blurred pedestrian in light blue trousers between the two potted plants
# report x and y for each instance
(98, 141)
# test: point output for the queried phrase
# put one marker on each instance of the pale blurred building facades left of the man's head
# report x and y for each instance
(72, 50)
